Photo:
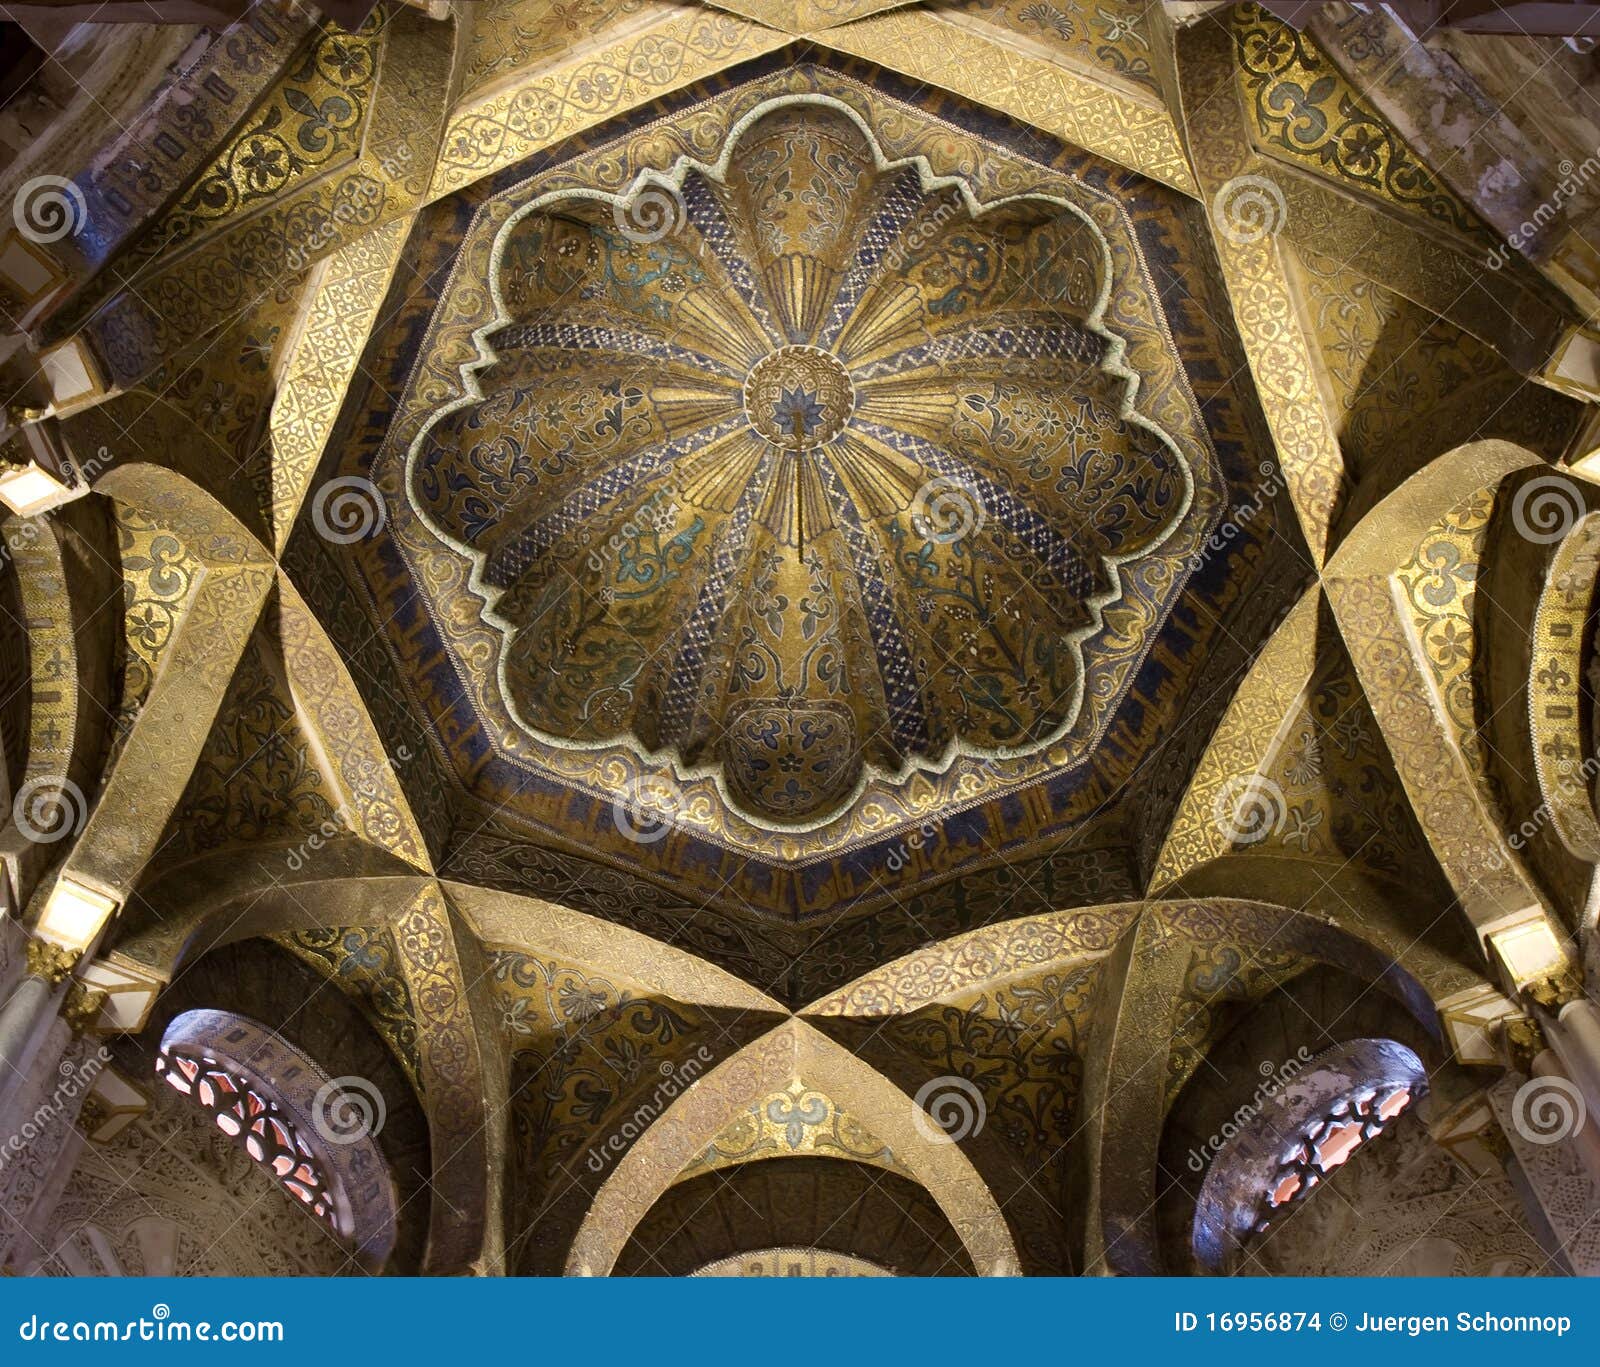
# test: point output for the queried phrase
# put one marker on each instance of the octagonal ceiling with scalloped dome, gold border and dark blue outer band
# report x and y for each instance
(990, 385)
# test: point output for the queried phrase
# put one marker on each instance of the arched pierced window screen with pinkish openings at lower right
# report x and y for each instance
(1289, 1141)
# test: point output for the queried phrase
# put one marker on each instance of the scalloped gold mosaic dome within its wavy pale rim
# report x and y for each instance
(799, 467)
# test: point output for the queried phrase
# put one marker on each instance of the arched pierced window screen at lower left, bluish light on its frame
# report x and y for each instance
(279, 1107)
